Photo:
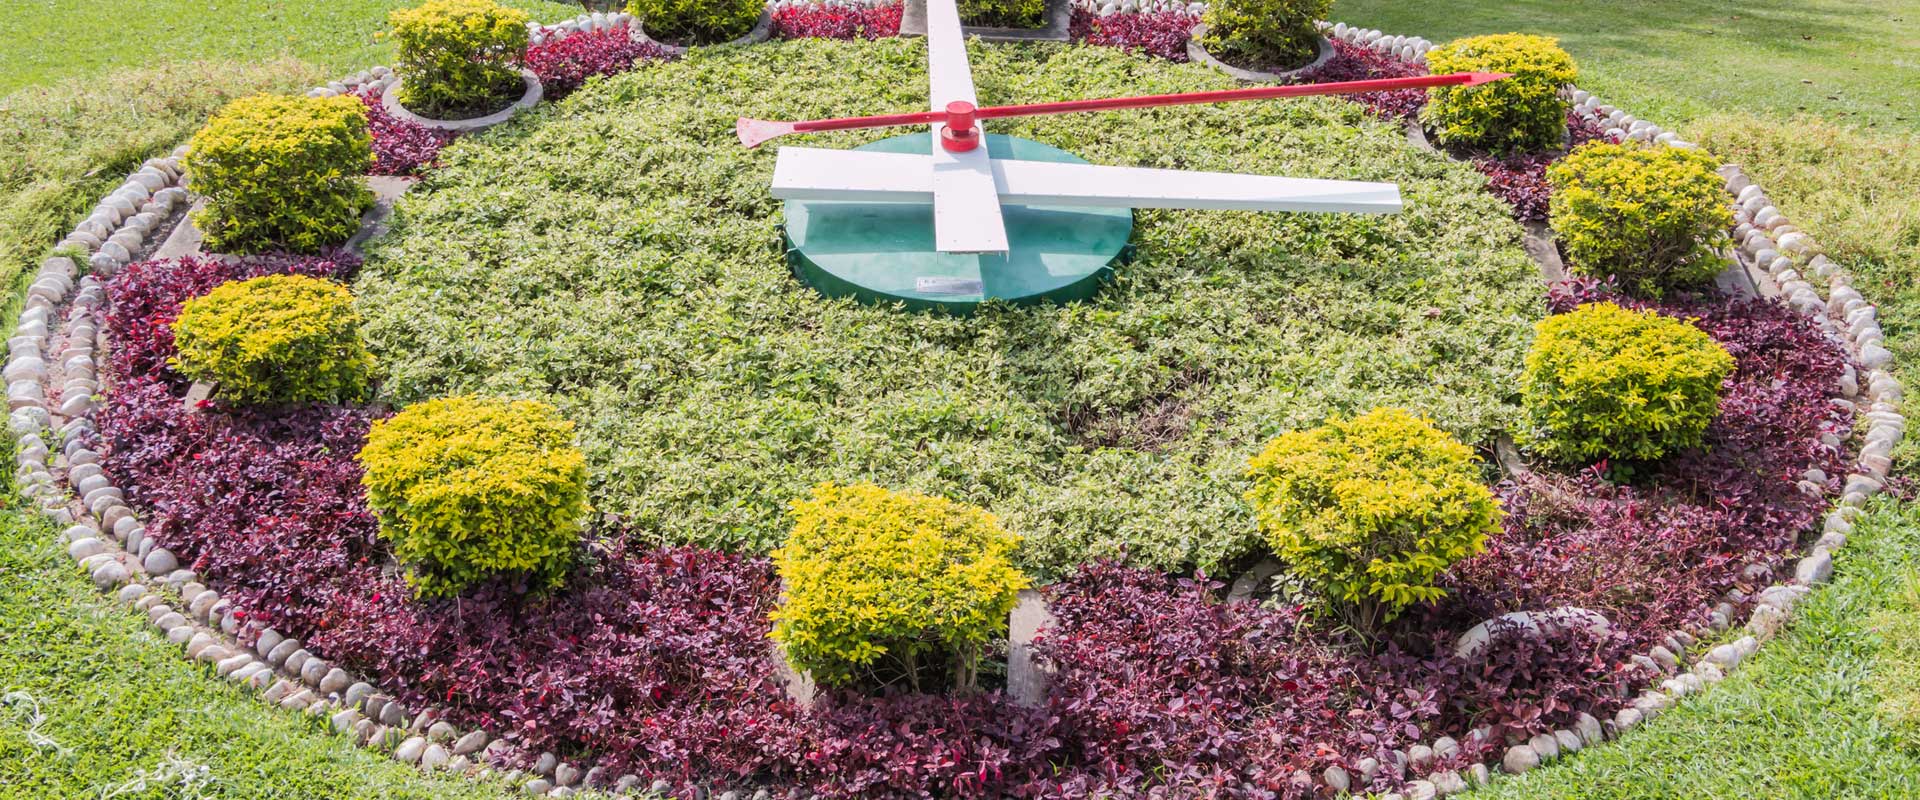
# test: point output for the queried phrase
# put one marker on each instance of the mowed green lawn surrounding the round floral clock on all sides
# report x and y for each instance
(107, 709)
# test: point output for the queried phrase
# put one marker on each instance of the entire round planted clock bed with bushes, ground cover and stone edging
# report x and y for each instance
(573, 471)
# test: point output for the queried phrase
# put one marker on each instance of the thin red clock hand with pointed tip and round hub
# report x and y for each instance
(961, 118)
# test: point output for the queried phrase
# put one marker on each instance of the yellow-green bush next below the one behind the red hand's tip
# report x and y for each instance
(1648, 216)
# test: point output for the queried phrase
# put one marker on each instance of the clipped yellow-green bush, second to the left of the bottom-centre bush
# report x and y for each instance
(281, 339)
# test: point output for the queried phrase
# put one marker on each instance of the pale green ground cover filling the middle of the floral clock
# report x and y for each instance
(623, 266)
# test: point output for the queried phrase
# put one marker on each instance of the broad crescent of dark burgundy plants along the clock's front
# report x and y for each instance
(656, 661)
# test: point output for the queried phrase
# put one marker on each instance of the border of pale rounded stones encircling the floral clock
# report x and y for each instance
(55, 435)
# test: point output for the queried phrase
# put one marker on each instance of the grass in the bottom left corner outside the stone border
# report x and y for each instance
(118, 713)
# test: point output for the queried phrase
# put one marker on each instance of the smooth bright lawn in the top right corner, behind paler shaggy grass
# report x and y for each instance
(1677, 60)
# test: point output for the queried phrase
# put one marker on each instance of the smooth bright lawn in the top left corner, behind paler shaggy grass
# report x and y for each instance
(49, 41)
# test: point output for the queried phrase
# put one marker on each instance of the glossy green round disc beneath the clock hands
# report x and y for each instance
(884, 252)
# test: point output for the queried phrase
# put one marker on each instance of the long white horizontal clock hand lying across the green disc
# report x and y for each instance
(852, 176)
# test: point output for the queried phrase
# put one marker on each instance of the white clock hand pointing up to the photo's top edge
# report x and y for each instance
(967, 210)
